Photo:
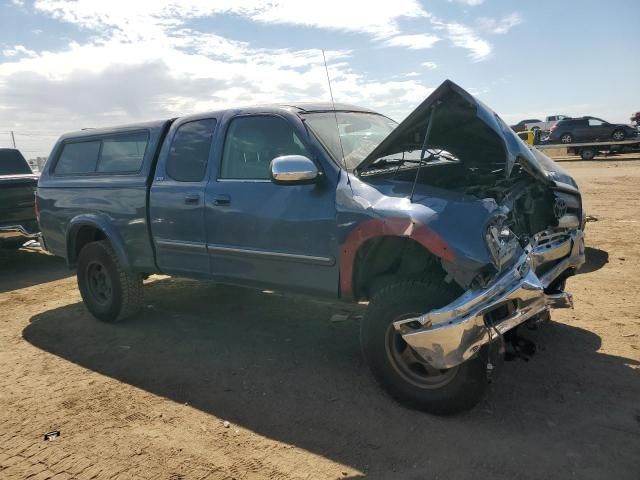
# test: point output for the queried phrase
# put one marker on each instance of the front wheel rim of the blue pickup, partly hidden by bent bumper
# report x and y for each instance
(411, 366)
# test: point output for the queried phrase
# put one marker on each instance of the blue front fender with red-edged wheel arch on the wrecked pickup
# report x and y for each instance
(448, 224)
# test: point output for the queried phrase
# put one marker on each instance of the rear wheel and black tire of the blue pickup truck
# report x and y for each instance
(110, 292)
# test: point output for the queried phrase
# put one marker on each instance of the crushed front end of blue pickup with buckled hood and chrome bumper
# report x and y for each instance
(531, 239)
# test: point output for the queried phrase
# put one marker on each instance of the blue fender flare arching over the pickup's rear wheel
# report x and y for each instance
(84, 229)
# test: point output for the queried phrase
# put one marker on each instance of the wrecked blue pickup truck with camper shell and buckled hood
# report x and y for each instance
(451, 228)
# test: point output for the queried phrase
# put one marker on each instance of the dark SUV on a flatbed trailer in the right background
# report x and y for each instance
(588, 129)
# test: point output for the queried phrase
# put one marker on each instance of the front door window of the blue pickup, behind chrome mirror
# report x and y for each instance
(252, 142)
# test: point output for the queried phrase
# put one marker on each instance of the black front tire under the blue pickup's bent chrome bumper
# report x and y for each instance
(455, 390)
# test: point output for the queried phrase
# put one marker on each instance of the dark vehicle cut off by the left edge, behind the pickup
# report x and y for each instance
(18, 221)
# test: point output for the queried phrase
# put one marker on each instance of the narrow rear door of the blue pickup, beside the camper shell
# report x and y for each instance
(176, 201)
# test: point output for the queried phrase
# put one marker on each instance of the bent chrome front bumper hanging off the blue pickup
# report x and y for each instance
(450, 335)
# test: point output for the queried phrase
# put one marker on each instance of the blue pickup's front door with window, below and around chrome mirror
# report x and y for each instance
(262, 233)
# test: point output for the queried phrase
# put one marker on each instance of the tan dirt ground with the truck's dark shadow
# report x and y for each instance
(149, 398)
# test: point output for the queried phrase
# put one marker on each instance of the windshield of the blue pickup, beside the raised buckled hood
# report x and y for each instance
(360, 133)
